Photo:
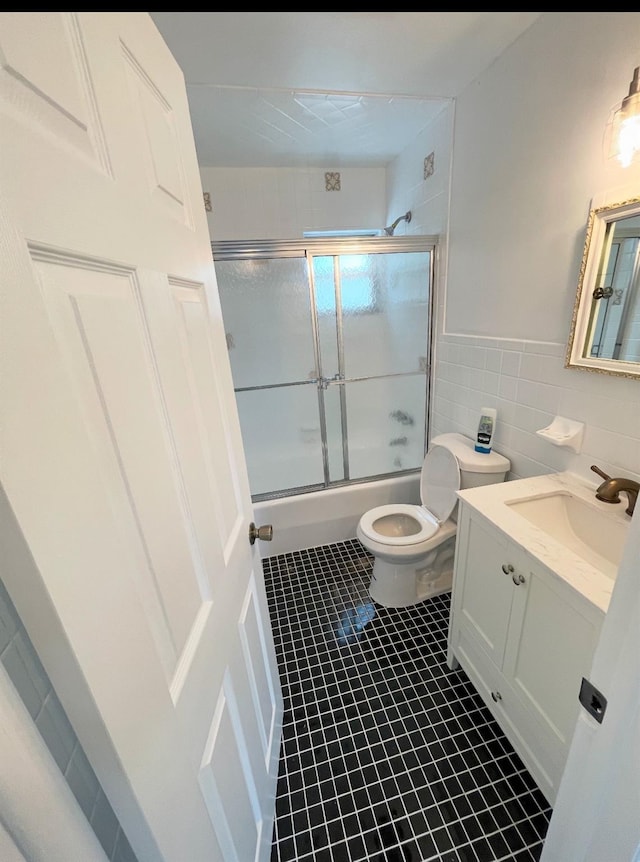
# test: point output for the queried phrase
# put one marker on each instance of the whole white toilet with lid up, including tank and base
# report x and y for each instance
(413, 545)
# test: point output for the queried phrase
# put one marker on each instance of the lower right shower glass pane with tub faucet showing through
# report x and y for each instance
(386, 419)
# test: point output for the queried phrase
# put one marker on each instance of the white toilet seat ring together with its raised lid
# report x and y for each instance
(402, 524)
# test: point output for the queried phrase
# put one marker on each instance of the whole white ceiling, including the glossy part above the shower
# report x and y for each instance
(332, 89)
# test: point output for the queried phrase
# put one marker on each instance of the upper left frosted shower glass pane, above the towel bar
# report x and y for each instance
(266, 309)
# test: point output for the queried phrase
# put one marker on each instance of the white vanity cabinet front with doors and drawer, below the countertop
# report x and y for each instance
(525, 638)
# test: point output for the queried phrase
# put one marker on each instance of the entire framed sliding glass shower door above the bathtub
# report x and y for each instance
(329, 345)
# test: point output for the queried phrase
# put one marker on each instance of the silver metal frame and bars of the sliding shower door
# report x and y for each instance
(335, 247)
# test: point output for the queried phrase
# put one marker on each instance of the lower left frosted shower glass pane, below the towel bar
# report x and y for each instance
(281, 437)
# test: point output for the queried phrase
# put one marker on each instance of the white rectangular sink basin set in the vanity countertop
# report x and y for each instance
(582, 528)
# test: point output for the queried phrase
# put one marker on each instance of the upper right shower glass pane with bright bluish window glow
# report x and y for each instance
(385, 310)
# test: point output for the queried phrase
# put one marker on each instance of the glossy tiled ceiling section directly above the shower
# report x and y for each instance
(300, 128)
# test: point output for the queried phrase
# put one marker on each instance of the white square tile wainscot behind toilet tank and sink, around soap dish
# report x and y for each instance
(527, 383)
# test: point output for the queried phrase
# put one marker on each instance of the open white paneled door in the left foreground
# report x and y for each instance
(125, 509)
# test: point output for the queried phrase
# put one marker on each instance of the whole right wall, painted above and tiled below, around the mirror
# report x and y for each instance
(527, 160)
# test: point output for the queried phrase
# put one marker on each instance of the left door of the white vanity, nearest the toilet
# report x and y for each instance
(483, 589)
